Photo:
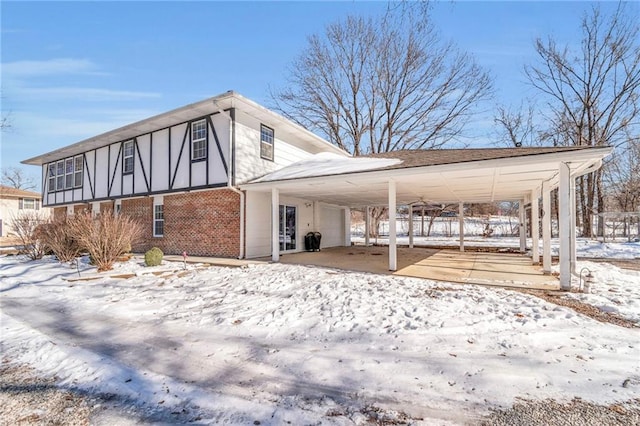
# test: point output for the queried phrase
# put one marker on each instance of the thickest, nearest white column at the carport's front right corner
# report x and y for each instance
(564, 225)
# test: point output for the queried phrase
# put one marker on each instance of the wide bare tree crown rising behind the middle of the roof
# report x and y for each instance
(383, 84)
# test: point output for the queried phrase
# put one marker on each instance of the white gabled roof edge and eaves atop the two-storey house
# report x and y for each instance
(292, 131)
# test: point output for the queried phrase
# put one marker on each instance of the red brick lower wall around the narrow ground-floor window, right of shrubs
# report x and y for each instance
(205, 223)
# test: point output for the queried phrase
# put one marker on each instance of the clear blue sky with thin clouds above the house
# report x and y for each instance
(71, 70)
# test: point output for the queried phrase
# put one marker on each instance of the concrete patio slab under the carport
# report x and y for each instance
(498, 269)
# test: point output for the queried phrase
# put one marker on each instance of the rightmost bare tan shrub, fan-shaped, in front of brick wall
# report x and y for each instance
(105, 237)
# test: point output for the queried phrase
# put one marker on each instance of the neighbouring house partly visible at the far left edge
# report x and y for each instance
(14, 202)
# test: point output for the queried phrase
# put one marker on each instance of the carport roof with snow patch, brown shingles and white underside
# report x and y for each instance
(435, 176)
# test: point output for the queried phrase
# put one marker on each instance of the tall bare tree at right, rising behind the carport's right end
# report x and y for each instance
(593, 93)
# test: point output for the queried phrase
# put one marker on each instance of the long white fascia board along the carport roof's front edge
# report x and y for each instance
(567, 157)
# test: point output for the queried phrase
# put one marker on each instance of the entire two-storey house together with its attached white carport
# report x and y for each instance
(228, 177)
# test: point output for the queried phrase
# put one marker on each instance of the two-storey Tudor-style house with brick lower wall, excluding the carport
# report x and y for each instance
(178, 173)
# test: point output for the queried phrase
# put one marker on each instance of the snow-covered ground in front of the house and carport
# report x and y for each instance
(288, 344)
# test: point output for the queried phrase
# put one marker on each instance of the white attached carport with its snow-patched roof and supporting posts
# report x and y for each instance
(524, 175)
